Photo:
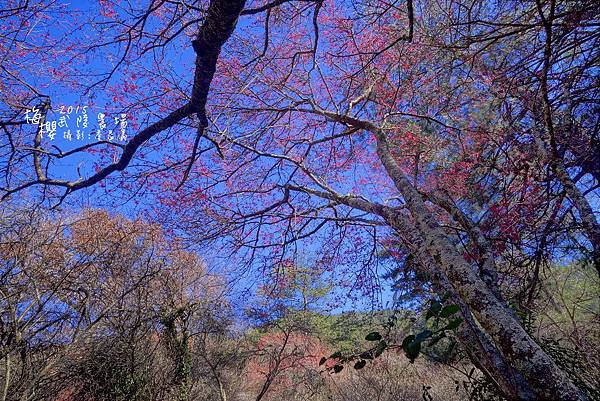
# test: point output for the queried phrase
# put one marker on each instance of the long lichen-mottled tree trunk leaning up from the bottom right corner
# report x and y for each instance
(541, 372)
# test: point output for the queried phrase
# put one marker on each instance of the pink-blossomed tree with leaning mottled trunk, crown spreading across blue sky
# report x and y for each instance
(459, 132)
